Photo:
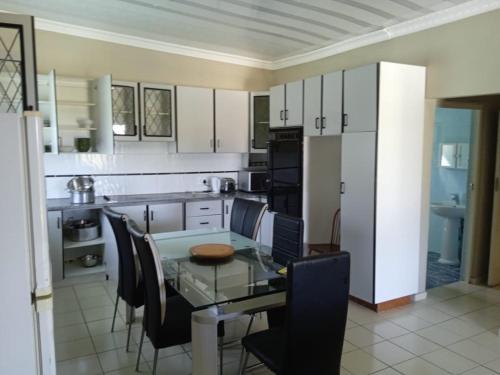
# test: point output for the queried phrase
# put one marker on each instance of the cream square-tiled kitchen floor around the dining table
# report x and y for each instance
(453, 331)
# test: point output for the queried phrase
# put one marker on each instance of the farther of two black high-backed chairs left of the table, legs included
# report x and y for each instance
(130, 287)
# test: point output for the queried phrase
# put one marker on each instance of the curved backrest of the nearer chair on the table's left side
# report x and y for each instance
(154, 282)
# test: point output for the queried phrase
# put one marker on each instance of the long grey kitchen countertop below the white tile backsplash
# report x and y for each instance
(64, 204)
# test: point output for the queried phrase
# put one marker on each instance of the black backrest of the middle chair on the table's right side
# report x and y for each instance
(288, 238)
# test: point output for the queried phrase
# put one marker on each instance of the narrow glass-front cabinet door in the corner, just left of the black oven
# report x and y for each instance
(259, 121)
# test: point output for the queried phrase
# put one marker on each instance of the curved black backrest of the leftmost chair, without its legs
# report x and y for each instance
(128, 270)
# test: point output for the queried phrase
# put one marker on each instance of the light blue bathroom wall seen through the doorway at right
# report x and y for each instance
(452, 126)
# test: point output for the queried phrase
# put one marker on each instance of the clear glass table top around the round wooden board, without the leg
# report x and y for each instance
(250, 272)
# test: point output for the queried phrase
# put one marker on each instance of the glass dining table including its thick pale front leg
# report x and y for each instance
(219, 290)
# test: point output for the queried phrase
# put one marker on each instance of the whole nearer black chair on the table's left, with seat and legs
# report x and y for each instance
(167, 316)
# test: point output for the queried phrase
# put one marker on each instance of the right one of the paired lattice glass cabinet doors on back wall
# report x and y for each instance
(157, 112)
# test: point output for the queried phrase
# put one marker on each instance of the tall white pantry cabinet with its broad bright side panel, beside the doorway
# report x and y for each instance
(381, 188)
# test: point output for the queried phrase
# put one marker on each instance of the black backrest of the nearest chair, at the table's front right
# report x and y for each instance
(316, 311)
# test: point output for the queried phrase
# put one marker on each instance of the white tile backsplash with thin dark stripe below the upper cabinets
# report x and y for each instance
(160, 173)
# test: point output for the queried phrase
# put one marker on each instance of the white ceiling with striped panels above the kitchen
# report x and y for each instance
(263, 30)
